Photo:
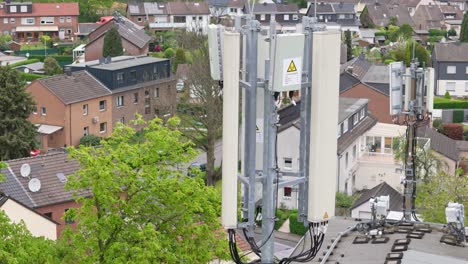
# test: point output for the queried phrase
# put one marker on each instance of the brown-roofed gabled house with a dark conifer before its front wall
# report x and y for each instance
(135, 41)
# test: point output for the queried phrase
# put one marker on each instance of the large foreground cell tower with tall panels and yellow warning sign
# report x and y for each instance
(271, 65)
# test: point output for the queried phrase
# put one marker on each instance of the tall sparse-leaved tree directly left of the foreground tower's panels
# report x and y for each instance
(202, 115)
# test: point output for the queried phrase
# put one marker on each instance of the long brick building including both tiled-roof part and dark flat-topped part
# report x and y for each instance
(91, 99)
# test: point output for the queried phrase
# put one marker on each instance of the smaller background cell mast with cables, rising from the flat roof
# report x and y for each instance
(415, 105)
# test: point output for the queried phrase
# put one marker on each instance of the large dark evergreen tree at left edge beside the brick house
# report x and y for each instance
(17, 133)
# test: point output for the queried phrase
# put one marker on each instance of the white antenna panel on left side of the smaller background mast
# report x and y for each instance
(397, 69)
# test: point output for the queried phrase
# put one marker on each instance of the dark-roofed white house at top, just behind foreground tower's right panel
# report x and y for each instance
(336, 15)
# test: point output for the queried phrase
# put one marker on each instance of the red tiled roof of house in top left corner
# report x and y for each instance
(46, 9)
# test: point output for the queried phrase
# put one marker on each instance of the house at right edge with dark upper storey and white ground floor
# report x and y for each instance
(450, 63)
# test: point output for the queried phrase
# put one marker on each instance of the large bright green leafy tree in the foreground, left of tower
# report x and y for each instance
(142, 209)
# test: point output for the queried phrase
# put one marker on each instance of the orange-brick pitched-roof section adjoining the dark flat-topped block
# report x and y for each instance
(69, 107)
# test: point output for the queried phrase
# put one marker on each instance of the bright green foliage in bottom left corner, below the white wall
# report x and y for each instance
(19, 246)
